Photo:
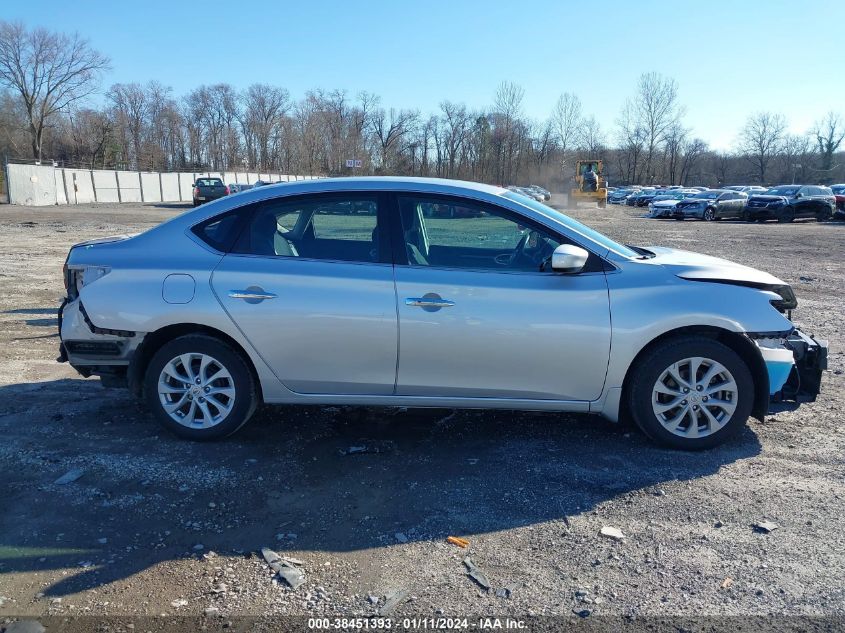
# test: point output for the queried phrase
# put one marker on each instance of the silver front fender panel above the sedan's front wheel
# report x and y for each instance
(647, 302)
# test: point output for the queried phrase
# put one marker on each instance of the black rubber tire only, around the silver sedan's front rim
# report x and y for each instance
(644, 376)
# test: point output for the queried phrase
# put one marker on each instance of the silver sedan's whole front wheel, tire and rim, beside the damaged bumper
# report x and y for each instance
(690, 393)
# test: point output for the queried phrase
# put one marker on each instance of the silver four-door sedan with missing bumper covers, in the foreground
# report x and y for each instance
(427, 293)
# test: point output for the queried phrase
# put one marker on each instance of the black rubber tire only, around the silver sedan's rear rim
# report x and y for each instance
(246, 397)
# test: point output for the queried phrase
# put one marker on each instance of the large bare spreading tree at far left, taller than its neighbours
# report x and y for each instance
(50, 71)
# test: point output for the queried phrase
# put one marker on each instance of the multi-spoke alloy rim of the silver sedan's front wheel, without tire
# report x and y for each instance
(694, 397)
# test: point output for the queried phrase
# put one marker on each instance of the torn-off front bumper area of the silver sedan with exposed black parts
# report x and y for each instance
(795, 363)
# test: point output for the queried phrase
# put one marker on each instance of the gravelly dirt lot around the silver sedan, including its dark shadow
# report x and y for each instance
(156, 525)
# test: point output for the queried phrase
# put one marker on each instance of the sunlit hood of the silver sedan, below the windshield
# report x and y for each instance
(697, 267)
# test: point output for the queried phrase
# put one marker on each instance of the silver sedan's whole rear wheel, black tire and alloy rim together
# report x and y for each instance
(200, 388)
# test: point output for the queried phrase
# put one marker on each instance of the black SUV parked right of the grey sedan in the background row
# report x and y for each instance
(788, 202)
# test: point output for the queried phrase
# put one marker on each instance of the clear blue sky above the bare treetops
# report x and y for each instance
(730, 58)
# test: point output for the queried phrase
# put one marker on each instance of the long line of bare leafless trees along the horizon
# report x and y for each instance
(47, 80)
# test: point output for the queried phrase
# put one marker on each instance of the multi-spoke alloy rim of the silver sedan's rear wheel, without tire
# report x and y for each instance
(196, 390)
